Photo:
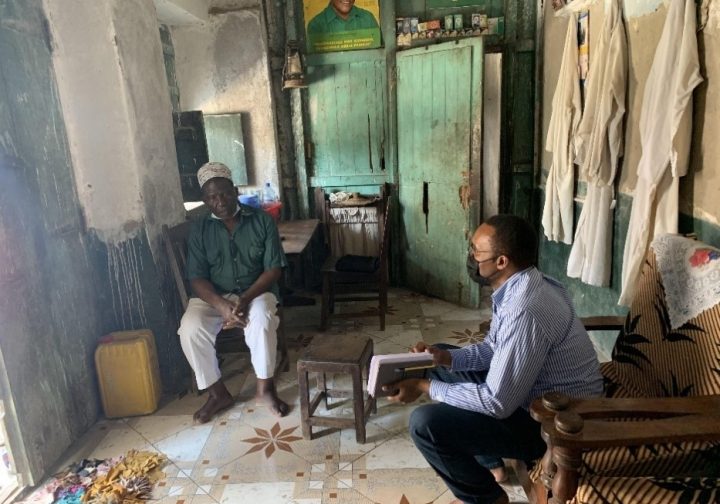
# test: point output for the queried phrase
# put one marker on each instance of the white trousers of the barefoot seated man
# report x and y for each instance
(201, 323)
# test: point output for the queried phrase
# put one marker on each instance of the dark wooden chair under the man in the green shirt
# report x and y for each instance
(230, 341)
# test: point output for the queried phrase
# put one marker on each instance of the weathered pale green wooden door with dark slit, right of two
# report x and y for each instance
(439, 92)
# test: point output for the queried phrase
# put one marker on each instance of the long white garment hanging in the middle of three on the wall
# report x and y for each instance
(599, 145)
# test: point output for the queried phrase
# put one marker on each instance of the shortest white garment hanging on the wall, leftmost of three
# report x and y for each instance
(557, 219)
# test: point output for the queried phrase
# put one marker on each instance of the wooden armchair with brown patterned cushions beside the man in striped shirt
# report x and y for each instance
(655, 436)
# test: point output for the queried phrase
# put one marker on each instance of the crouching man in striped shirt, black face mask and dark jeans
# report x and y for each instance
(535, 344)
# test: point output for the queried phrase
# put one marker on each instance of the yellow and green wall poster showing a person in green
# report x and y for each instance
(341, 25)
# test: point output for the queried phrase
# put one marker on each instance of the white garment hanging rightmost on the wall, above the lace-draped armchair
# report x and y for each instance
(665, 131)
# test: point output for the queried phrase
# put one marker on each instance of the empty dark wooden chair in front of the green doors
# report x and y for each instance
(341, 285)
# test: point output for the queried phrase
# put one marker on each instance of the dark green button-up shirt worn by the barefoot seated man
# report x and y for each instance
(232, 263)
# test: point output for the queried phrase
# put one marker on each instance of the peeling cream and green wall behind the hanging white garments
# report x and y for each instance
(699, 190)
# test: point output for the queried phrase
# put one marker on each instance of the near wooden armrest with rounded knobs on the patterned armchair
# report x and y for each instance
(661, 420)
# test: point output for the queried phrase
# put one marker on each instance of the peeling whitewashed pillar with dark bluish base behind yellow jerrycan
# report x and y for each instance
(117, 110)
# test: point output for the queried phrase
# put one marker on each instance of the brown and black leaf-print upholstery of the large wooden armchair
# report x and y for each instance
(650, 359)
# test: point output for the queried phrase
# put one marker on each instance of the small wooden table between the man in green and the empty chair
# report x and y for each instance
(296, 237)
